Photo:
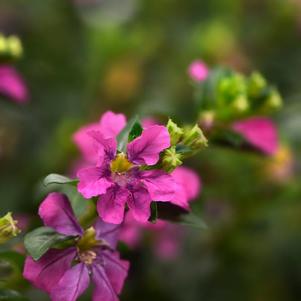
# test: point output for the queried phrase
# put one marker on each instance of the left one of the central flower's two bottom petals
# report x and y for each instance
(111, 205)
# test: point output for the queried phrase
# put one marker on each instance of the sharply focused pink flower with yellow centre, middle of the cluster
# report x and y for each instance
(117, 178)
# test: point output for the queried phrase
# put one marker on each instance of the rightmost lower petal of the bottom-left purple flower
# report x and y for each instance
(116, 269)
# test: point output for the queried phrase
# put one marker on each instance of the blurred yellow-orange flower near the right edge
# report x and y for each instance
(280, 166)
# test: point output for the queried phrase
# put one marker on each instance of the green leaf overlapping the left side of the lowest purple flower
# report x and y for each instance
(40, 240)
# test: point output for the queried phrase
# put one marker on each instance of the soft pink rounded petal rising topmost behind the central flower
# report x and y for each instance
(111, 124)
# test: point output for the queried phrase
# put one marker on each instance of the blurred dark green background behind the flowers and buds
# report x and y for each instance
(86, 56)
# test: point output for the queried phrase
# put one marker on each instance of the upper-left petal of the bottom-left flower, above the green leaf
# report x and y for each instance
(57, 213)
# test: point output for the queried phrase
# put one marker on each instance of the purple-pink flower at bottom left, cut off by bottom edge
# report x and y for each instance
(66, 273)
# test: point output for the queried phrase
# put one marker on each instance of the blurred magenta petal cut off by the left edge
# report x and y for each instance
(12, 85)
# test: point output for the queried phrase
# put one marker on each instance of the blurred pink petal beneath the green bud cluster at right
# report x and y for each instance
(259, 132)
